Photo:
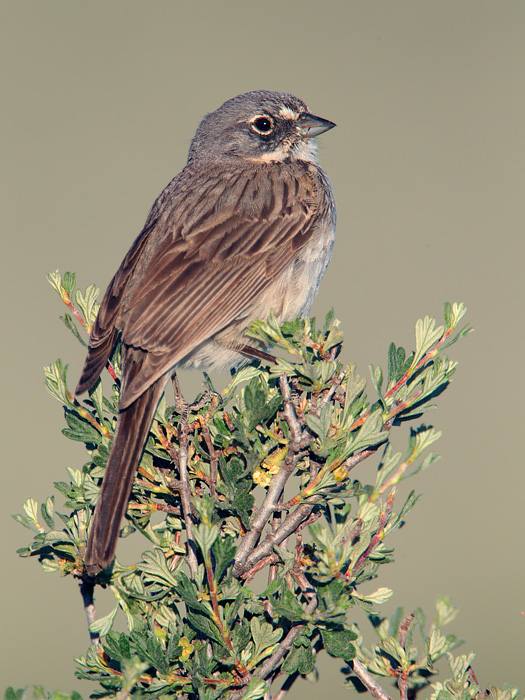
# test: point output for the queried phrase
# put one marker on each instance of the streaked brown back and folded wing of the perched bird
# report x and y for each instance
(217, 242)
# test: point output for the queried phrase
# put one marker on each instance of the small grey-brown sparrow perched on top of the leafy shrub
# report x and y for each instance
(247, 227)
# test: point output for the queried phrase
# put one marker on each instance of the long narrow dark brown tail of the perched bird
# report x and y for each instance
(132, 430)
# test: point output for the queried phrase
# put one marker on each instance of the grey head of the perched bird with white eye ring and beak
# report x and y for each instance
(258, 126)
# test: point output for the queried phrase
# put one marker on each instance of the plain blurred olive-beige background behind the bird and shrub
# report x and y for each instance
(100, 102)
